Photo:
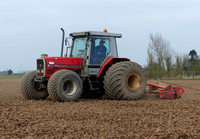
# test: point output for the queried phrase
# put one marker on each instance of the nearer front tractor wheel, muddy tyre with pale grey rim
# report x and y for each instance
(65, 85)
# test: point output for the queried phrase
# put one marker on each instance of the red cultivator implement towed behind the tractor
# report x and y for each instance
(165, 92)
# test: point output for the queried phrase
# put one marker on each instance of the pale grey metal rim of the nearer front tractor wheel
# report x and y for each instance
(70, 87)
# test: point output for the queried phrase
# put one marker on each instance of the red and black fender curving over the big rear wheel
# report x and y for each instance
(109, 62)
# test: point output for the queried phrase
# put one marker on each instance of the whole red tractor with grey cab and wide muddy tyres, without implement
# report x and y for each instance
(91, 70)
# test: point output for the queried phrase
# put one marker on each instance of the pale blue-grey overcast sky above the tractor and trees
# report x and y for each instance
(29, 28)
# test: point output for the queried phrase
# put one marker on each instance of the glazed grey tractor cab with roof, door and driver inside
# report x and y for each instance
(94, 48)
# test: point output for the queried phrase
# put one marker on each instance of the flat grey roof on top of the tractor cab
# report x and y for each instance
(95, 33)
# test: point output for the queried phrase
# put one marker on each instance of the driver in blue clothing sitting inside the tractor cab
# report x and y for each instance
(100, 52)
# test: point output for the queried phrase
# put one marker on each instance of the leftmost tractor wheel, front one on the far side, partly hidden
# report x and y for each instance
(29, 89)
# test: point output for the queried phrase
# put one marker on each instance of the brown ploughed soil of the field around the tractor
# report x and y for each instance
(101, 118)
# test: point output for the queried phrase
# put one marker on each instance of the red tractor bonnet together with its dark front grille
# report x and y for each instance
(47, 66)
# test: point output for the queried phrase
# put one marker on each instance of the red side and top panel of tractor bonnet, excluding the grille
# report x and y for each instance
(54, 64)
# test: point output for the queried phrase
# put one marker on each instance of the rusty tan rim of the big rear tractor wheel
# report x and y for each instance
(133, 82)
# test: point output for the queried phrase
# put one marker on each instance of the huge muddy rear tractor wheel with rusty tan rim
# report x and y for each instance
(125, 81)
